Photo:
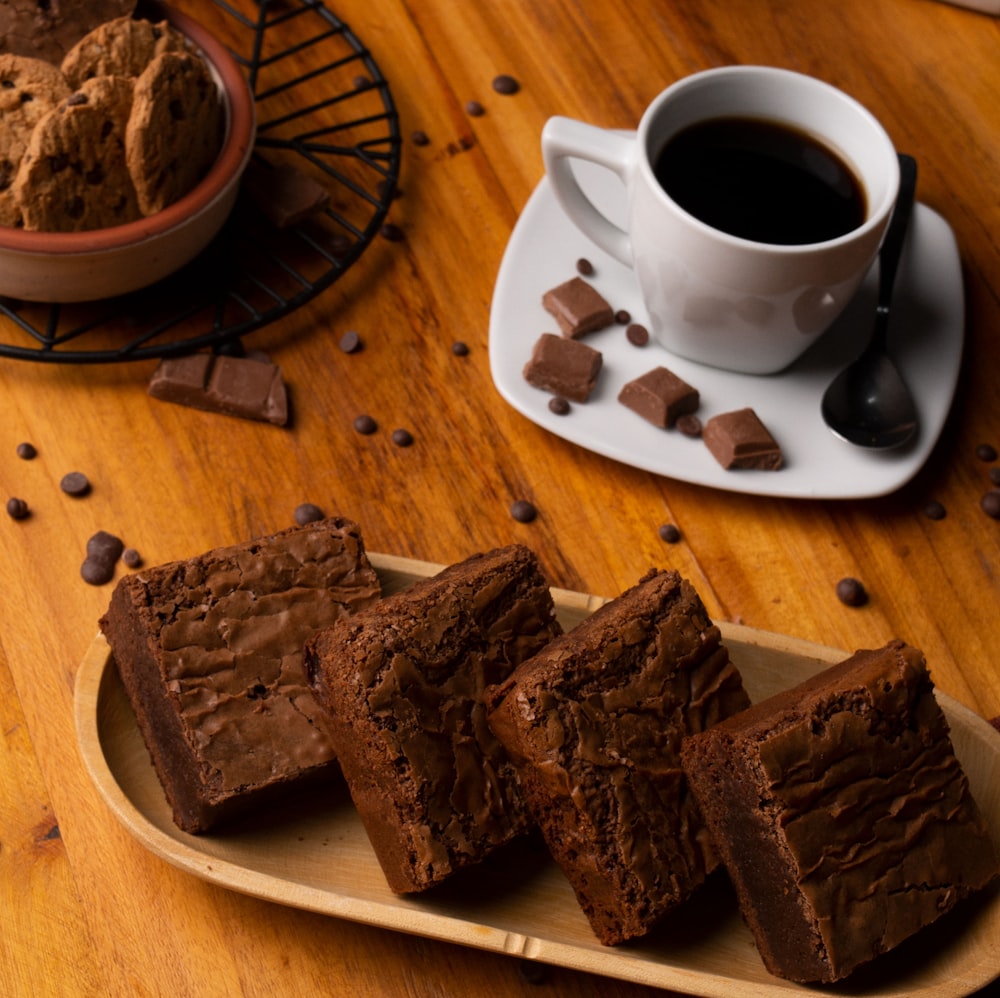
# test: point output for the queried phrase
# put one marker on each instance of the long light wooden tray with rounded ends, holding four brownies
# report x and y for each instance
(317, 856)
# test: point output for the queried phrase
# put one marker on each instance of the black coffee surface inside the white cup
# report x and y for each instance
(761, 180)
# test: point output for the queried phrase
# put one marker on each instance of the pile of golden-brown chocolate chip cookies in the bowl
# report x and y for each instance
(125, 125)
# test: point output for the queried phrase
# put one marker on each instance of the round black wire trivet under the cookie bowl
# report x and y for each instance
(330, 110)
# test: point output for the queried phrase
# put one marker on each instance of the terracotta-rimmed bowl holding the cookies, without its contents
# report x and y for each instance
(84, 266)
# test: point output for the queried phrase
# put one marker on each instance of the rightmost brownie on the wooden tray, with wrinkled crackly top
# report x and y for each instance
(842, 814)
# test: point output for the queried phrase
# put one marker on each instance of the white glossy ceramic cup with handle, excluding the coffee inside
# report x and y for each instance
(712, 297)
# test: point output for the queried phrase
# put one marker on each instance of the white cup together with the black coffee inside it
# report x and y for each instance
(757, 201)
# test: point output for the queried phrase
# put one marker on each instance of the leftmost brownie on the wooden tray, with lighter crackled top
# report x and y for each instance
(210, 654)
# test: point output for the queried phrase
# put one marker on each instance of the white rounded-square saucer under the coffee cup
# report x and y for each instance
(928, 325)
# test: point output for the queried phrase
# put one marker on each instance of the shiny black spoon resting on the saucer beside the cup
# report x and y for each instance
(869, 404)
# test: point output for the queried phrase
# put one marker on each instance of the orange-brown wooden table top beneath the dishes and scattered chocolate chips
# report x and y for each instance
(85, 910)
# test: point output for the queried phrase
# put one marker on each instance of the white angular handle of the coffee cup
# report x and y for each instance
(564, 139)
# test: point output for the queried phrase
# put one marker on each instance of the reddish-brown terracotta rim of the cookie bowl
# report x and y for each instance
(228, 166)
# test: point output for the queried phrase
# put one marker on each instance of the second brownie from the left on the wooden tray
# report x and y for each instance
(403, 682)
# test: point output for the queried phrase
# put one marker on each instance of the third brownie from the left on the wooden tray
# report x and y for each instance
(594, 724)
